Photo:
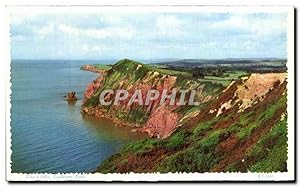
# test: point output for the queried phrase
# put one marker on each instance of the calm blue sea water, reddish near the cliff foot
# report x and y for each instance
(50, 135)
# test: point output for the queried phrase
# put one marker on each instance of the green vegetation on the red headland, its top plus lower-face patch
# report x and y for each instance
(129, 72)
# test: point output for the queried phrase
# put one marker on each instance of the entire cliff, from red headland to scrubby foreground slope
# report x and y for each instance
(238, 127)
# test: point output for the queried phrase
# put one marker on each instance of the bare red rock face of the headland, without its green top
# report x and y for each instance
(162, 114)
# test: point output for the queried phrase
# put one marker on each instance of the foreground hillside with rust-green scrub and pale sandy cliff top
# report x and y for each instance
(243, 129)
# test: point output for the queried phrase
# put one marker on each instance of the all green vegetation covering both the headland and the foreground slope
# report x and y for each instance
(253, 140)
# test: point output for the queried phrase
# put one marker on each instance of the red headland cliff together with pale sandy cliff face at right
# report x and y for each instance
(162, 120)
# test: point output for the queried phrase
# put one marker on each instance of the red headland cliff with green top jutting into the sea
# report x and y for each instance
(155, 119)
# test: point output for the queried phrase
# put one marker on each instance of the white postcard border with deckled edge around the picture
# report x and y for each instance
(277, 176)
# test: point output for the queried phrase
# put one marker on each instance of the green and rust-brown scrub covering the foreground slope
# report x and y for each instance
(197, 149)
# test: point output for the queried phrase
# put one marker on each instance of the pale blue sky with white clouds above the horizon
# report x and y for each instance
(148, 36)
